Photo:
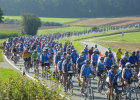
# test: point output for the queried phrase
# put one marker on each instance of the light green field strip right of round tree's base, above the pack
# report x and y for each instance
(61, 30)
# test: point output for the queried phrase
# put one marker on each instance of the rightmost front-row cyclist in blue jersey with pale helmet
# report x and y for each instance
(126, 75)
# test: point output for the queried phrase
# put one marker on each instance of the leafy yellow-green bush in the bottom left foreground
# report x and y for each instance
(24, 89)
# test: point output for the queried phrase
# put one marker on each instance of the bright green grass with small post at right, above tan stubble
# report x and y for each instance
(128, 37)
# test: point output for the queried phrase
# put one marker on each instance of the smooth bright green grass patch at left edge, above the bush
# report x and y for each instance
(5, 73)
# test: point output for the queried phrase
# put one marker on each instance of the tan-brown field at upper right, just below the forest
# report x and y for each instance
(108, 21)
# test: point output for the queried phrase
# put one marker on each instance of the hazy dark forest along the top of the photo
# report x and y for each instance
(72, 8)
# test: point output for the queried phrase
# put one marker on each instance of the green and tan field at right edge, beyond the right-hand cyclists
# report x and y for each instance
(130, 42)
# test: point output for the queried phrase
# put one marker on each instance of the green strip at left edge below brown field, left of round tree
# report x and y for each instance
(9, 33)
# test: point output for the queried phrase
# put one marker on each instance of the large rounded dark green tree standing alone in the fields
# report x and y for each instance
(30, 24)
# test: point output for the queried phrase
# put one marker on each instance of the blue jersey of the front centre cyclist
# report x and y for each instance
(86, 71)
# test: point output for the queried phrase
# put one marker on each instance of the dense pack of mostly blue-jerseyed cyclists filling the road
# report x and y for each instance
(42, 51)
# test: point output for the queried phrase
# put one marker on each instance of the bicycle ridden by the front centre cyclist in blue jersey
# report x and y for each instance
(88, 90)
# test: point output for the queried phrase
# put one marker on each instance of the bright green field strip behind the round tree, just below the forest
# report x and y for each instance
(46, 19)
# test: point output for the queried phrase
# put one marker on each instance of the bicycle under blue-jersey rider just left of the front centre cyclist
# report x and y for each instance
(69, 83)
